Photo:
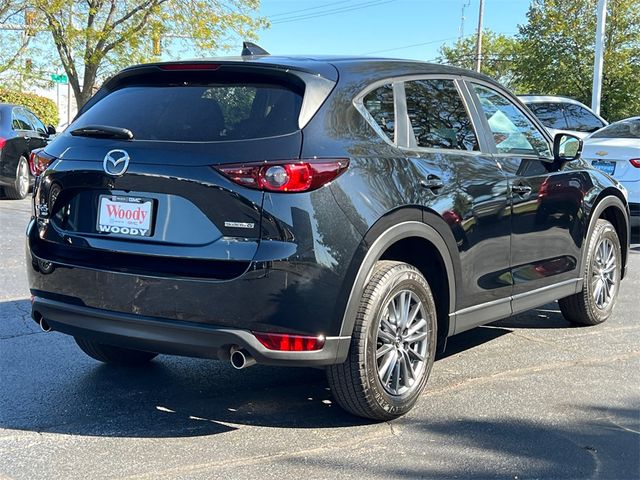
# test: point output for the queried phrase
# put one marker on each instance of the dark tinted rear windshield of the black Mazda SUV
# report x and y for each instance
(198, 113)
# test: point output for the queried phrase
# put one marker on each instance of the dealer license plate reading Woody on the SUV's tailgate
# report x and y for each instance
(128, 216)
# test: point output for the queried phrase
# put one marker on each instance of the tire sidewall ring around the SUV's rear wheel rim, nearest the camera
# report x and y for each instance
(403, 277)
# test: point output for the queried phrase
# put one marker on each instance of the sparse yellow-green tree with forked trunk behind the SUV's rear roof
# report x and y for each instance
(93, 38)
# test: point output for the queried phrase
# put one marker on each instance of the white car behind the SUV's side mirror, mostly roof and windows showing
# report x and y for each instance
(562, 114)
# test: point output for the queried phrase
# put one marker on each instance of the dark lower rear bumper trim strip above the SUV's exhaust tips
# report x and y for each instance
(175, 337)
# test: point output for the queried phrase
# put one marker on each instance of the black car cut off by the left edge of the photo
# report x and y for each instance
(20, 133)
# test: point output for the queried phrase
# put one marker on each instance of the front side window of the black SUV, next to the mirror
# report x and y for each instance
(512, 131)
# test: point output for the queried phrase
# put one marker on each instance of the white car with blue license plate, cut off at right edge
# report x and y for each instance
(615, 149)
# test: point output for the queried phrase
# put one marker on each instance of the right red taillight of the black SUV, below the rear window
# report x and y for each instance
(292, 176)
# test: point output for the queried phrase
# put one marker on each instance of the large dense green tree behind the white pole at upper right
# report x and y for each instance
(557, 53)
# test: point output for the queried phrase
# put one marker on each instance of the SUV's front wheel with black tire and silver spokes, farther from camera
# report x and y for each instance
(583, 308)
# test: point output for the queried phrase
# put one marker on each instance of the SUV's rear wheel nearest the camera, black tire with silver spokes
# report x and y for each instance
(356, 383)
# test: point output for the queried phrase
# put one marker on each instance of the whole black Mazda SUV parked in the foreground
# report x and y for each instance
(351, 213)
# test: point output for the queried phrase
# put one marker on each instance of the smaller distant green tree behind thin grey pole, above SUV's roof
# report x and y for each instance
(498, 55)
